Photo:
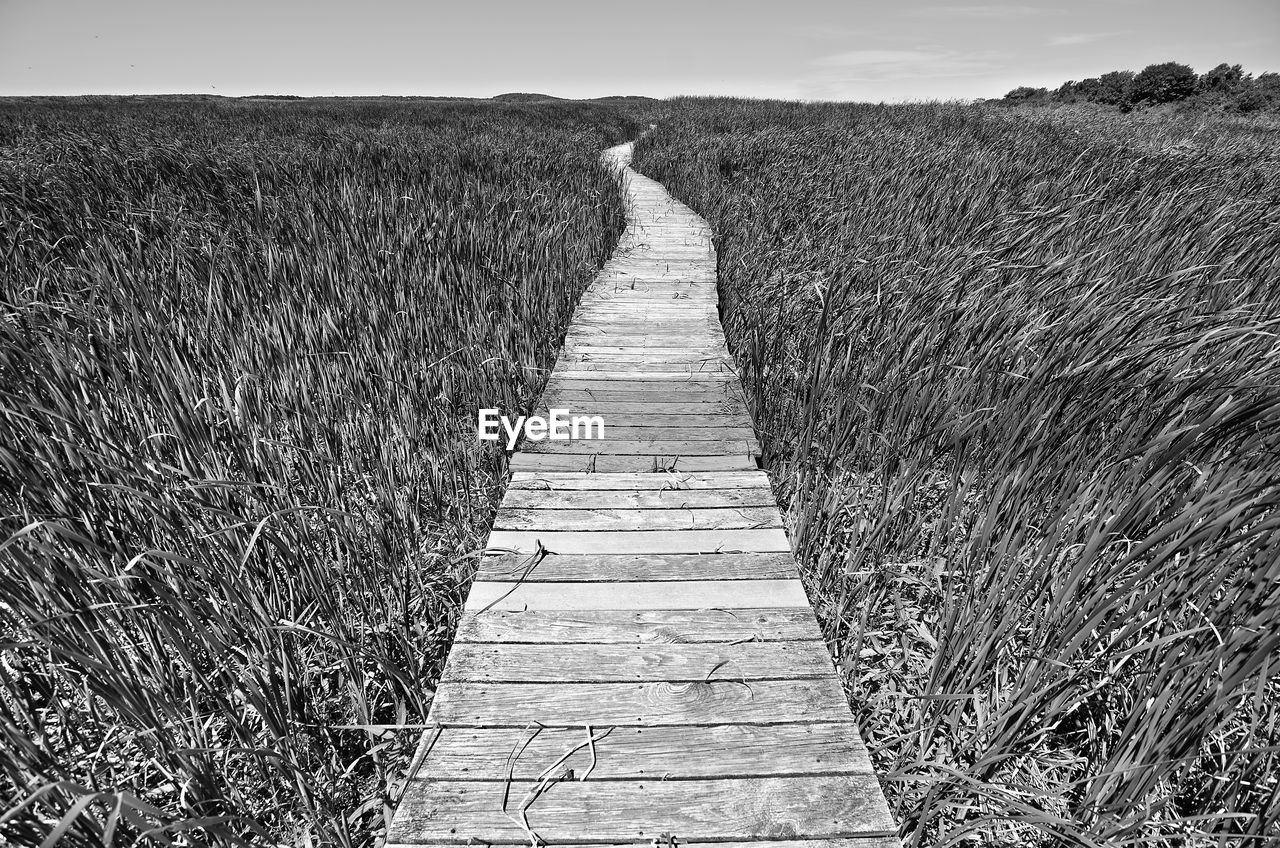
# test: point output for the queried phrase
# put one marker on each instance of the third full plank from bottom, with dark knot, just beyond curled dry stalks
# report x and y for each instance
(644, 705)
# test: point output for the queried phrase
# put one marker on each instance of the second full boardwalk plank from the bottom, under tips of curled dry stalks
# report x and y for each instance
(637, 754)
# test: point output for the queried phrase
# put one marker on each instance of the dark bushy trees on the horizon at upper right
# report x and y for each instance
(1226, 88)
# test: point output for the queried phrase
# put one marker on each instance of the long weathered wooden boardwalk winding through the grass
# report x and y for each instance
(661, 676)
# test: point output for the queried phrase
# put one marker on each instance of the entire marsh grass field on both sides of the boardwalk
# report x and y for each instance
(1017, 376)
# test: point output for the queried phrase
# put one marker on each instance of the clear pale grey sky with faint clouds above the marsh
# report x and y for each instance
(883, 51)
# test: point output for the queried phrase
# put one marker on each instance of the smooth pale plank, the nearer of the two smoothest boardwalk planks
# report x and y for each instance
(670, 595)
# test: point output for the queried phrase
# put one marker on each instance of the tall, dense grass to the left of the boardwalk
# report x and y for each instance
(241, 349)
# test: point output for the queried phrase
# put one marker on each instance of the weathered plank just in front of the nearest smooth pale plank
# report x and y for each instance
(566, 627)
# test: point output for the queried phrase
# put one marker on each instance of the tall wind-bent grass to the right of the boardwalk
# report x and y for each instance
(1021, 394)
